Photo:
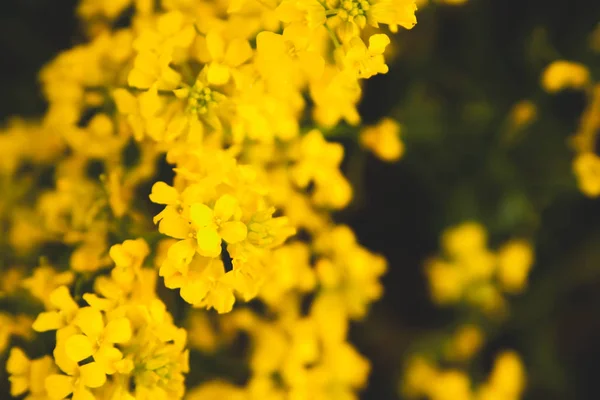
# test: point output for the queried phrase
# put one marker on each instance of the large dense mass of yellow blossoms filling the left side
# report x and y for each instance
(185, 146)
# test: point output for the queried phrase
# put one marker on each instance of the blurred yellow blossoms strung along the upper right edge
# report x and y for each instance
(561, 75)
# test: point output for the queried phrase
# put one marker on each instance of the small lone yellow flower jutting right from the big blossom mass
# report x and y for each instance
(383, 140)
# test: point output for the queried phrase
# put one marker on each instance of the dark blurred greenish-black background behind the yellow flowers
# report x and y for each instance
(454, 81)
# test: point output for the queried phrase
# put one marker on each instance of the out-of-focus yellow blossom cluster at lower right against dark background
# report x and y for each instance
(470, 275)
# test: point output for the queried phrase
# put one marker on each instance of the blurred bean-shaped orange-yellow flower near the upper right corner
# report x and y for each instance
(563, 74)
